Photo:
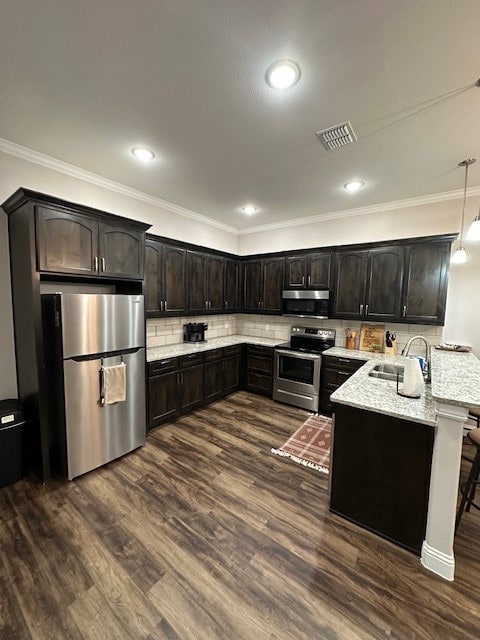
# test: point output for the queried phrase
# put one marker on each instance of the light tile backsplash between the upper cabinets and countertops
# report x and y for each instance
(166, 331)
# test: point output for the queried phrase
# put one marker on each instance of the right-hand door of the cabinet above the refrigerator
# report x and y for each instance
(122, 252)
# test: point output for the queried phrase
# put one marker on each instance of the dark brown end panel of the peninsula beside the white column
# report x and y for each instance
(380, 474)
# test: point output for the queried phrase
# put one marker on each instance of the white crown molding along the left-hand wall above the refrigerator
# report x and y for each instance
(24, 153)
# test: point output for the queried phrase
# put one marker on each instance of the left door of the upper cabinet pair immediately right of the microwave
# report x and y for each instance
(350, 284)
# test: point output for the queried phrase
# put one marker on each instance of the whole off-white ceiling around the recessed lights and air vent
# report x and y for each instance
(85, 81)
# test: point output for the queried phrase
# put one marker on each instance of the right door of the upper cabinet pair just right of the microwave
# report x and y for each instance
(384, 284)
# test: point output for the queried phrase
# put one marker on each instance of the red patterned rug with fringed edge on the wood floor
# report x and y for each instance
(310, 444)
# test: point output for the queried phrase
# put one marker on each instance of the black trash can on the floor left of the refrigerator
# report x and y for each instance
(13, 427)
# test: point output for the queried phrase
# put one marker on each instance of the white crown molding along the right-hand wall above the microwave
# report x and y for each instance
(361, 211)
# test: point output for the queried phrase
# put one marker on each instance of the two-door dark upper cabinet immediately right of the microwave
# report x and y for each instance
(368, 284)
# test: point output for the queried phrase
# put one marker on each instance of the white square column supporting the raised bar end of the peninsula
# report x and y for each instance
(437, 548)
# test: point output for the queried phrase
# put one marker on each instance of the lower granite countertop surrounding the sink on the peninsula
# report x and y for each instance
(374, 394)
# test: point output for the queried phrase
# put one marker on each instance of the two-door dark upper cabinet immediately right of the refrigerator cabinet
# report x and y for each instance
(165, 279)
